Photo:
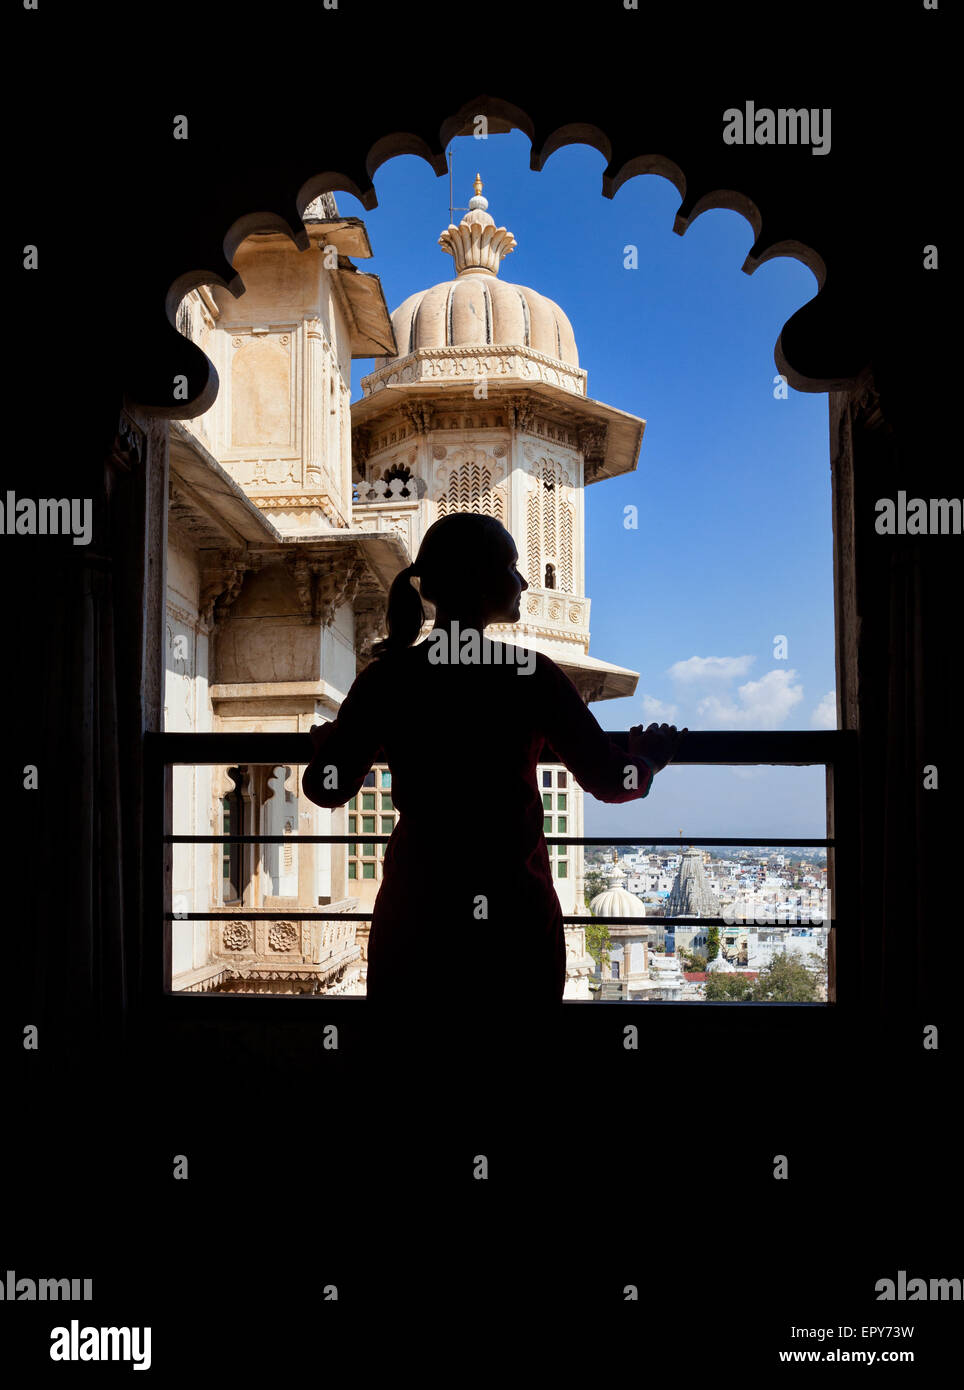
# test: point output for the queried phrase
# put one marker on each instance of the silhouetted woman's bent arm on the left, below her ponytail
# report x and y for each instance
(345, 749)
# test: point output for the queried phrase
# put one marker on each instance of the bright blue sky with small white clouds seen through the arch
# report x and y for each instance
(734, 546)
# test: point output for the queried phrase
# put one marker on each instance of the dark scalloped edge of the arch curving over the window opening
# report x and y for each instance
(504, 116)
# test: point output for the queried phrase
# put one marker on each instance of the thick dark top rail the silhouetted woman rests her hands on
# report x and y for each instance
(798, 749)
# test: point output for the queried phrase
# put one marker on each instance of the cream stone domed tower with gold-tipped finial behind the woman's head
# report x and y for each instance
(484, 408)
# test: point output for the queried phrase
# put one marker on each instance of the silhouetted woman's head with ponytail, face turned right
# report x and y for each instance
(466, 568)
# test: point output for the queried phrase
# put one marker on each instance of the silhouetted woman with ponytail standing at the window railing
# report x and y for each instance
(467, 917)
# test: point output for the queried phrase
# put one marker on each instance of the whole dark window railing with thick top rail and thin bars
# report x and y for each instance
(836, 750)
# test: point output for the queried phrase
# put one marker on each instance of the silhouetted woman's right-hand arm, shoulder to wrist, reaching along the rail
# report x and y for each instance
(601, 767)
